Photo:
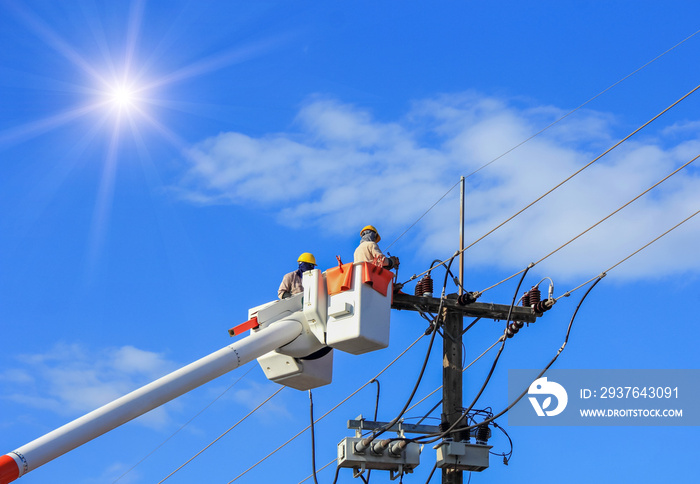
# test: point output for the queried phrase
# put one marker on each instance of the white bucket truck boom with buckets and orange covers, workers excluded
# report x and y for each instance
(346, 308)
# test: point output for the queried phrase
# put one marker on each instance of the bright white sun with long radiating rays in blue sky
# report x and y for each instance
(126, 95)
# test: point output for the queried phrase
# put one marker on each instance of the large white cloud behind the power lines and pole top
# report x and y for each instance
(343, 168)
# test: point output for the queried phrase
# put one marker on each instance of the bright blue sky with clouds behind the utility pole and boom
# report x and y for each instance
(134, 234)
